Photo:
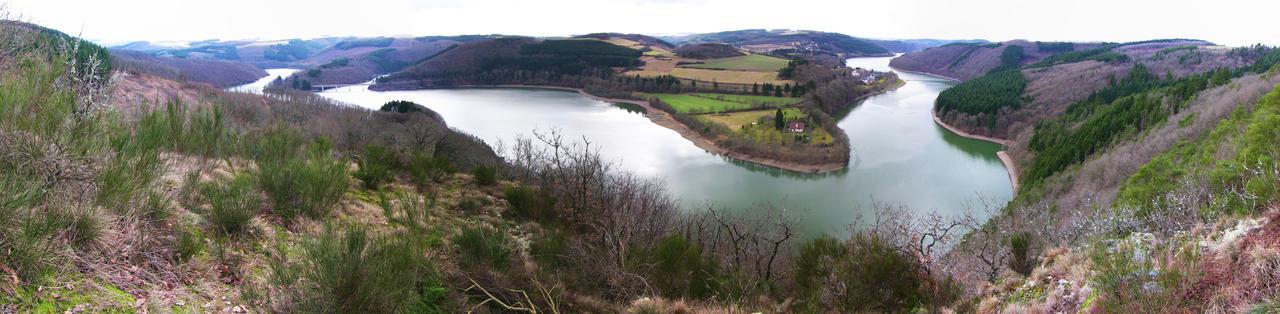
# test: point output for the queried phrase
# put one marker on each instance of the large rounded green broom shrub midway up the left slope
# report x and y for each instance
(298, 184)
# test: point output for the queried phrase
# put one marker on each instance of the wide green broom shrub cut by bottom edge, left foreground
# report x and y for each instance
(354, 271)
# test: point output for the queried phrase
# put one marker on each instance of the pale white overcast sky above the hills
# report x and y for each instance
(1227, 22)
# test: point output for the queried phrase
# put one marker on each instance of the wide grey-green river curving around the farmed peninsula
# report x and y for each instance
(899, 156)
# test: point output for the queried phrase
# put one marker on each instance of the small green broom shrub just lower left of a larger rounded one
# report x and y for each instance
(232, 204)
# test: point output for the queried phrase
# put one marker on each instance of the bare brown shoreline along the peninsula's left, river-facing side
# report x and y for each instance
(668, 121)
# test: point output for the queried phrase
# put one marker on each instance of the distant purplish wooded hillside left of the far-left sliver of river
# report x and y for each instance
(213, 72)
